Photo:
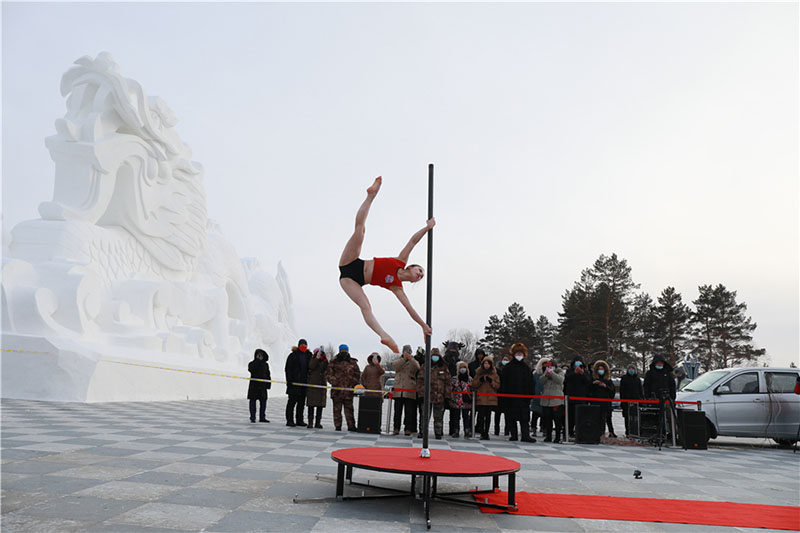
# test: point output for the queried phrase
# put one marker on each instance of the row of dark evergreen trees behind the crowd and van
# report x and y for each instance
(603, 316)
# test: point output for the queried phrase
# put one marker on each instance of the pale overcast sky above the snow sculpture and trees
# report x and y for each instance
(665, 133)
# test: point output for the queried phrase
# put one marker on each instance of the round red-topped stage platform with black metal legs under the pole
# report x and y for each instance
(441, 463)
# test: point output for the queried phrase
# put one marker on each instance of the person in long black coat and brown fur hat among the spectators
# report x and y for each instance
(518, 379)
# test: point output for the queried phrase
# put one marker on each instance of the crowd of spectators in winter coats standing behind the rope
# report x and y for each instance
(503, 390)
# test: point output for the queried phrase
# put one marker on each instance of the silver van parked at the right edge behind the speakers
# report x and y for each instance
(748, 402)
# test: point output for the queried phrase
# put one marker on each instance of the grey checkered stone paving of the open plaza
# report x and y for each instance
(202, 466)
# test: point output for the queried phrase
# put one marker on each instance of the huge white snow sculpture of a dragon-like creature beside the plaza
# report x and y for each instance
(125, 265)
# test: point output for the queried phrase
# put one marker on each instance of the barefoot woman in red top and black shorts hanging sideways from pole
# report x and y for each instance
(386, 272)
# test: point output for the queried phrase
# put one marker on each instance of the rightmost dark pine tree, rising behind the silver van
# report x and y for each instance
(722, 334)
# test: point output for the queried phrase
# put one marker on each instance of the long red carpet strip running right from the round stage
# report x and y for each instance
(650, 510)
